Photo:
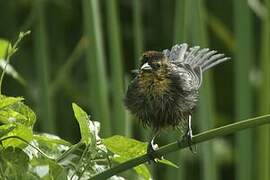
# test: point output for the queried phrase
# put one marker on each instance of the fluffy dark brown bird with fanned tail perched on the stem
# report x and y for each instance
(165, 90)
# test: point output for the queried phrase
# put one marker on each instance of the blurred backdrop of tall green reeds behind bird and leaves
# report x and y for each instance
(84, 51)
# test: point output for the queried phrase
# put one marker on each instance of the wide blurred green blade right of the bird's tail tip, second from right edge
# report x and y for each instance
(243, 54)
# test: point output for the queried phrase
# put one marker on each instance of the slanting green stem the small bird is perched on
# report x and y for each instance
(201, 137)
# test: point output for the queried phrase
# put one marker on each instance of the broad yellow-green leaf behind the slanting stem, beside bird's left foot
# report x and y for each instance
(128, 148)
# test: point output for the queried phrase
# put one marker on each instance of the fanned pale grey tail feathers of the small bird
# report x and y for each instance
(195, 56)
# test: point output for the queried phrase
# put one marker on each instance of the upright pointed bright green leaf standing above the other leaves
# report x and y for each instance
(84, 123)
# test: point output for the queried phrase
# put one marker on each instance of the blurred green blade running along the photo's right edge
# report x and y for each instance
(263, 160)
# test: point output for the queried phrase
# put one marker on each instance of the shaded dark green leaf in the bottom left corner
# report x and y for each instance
(14, 162)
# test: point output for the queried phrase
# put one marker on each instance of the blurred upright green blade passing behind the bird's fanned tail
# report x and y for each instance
(206, 101)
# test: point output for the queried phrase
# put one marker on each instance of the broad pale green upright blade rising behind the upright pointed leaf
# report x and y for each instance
(96, 65)
